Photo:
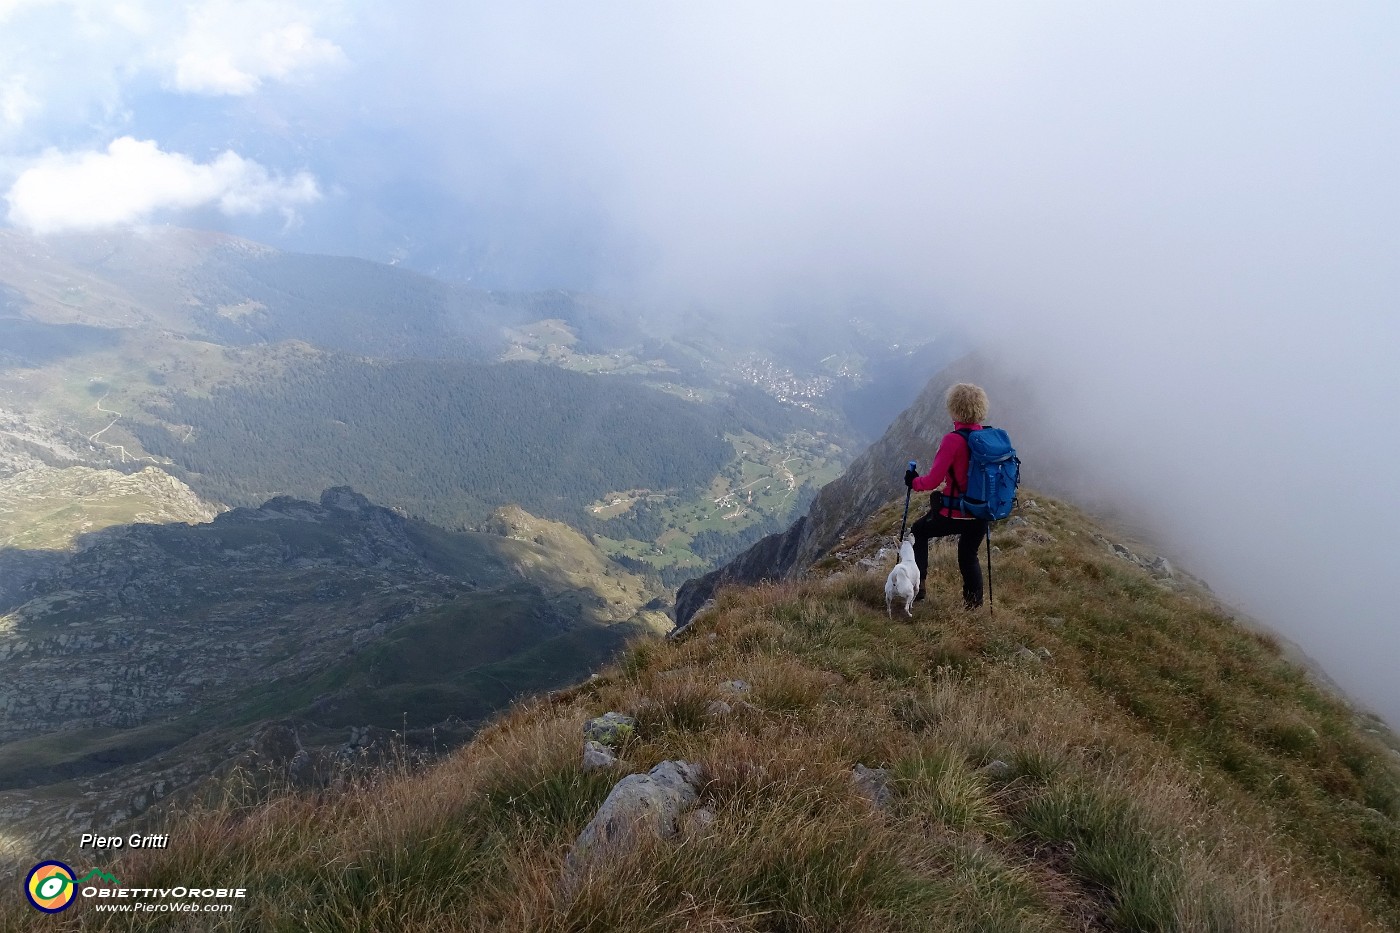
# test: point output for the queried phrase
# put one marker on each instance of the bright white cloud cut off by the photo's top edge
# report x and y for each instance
(232, 48)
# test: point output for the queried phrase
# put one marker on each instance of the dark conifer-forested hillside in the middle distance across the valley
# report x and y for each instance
(447, 442)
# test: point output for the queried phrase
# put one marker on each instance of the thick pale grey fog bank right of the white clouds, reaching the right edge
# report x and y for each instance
(1182, 223)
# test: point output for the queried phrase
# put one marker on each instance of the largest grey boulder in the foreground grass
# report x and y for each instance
(647, 803)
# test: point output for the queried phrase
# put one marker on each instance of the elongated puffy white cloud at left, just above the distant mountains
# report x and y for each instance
(134, 180)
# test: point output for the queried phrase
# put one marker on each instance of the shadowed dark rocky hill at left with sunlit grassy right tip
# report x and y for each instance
(157, 654)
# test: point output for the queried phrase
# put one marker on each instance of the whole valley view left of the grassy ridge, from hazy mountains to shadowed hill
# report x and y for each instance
(283, 516)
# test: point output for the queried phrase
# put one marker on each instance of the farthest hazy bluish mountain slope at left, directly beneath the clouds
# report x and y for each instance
(237, 292)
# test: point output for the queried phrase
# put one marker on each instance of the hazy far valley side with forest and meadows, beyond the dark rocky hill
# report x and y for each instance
(253, 373)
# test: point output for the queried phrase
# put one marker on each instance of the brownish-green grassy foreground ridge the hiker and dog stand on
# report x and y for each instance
(1167, 770)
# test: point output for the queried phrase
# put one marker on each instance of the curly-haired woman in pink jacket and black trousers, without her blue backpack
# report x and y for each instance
(968, 407)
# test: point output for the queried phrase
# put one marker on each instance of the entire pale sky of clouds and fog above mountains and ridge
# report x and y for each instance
(1181, 222)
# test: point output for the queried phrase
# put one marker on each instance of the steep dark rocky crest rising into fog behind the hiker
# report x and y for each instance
(848, 502)
